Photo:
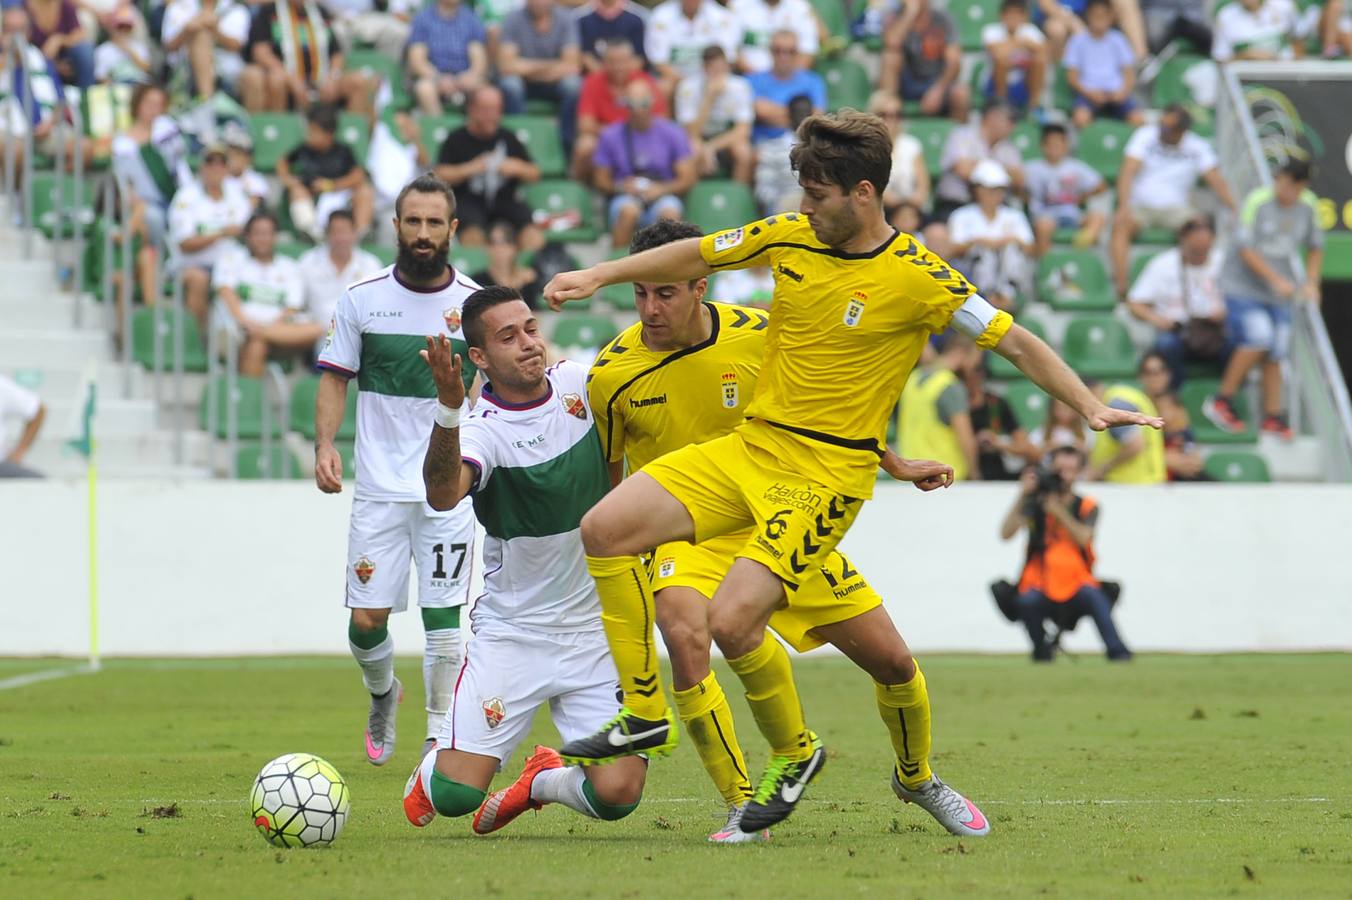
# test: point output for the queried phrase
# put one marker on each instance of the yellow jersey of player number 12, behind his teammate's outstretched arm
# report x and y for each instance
(648, 403)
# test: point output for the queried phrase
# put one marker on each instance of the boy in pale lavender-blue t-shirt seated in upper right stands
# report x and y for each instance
(1101, 70)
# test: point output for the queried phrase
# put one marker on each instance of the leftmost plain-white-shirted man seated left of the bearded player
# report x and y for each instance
(205, 220)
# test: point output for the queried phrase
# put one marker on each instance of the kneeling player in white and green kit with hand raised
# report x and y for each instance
(529, 460)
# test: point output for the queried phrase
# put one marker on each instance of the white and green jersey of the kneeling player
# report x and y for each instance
(539, 468)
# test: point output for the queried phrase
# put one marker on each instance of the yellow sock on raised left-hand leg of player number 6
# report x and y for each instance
(627, 613)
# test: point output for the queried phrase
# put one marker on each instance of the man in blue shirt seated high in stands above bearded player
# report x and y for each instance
(447, 56)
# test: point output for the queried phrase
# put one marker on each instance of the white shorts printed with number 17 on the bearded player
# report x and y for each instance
(385, 537)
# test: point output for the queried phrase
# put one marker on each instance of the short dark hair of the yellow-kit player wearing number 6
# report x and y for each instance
(844, 148)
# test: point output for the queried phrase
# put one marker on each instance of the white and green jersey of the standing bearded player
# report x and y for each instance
(378, 329)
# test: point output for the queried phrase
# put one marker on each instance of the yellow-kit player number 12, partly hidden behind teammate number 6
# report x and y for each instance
(685, 374)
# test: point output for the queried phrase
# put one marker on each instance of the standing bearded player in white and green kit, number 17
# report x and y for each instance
(378, 329)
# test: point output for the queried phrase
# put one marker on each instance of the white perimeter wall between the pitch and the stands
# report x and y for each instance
(255, 568)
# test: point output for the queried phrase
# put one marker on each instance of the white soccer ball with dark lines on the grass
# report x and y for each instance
(299, 801)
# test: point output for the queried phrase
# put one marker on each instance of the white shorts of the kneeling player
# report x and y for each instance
(508, 676)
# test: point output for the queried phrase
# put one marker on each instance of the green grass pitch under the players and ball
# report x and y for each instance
(1169, 778)
